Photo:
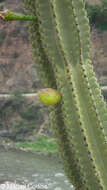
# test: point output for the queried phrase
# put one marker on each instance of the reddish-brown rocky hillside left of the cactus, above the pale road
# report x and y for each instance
(17, 69)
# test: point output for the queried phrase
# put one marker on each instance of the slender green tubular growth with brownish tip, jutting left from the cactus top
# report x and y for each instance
(8, 15)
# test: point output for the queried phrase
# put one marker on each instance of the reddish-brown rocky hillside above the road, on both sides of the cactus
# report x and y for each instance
(17, 69)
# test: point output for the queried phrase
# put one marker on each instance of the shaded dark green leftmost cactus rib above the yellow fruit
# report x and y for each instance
(43, 65)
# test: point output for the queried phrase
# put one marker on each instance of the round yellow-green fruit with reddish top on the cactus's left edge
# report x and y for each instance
(49, 96)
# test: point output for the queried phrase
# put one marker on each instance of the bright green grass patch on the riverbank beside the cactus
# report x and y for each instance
(42, 144)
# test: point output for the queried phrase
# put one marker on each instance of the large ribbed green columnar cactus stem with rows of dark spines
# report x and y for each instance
(60, 39)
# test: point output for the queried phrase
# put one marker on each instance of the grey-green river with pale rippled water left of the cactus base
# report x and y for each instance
(27, 171)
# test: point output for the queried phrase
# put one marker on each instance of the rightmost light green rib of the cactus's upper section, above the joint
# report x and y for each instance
(83, 28)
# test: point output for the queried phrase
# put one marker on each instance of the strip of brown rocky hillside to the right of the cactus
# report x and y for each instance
(99, 54)
